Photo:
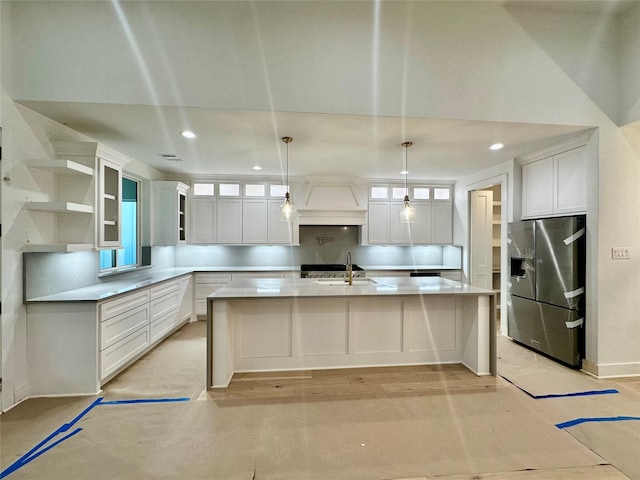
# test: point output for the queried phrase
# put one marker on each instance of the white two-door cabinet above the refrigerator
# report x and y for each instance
(555, 185)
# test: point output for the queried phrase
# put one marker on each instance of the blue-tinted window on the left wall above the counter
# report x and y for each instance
(126, 256)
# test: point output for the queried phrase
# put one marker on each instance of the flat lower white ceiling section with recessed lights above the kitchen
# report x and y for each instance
(232, 142)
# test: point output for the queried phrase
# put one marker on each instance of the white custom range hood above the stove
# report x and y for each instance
(331, 202)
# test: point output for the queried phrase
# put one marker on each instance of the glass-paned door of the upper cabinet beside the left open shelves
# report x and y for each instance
(109, 204)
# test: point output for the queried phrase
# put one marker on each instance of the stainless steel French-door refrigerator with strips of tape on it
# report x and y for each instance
(546, 304)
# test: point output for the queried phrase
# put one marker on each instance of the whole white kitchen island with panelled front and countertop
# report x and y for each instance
(299, 324)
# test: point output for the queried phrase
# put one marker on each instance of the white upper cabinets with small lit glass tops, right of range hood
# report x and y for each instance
(433, 222)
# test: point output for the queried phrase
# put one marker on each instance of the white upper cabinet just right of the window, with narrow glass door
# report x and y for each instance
(170, 213)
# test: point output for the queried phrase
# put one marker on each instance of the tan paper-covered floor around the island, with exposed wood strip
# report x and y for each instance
(417, 422)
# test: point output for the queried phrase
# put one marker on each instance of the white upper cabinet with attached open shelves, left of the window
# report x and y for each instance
(73, 208)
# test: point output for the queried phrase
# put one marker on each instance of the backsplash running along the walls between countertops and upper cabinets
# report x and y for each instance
(48, 273)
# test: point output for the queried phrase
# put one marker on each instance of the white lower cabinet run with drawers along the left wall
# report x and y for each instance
(78, 346)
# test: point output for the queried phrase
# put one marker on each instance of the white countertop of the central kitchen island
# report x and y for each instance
(314, 287)
